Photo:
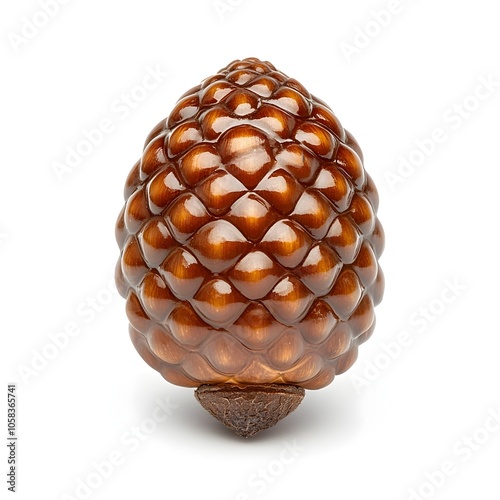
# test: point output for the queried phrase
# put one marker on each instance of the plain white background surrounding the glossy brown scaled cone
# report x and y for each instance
(379, 431)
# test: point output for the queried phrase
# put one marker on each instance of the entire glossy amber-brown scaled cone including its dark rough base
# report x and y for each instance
(249, 246)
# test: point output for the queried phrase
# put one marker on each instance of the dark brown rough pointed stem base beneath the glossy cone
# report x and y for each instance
(251, 408)
